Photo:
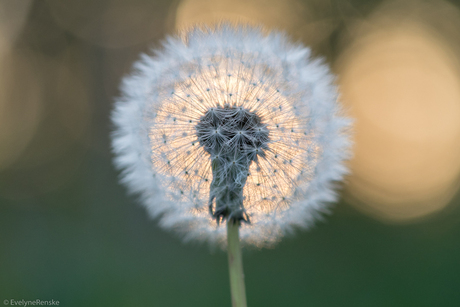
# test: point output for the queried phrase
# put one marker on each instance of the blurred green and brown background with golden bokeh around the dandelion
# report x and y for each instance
(69, 232)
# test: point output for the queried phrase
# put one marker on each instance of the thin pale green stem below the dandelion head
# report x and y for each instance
(235, 265)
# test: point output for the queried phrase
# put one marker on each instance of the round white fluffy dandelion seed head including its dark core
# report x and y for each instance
(234, 117)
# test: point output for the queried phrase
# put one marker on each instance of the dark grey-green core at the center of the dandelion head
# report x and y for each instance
(234, 137)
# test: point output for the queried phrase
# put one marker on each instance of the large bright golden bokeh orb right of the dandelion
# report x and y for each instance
(401, 83)
